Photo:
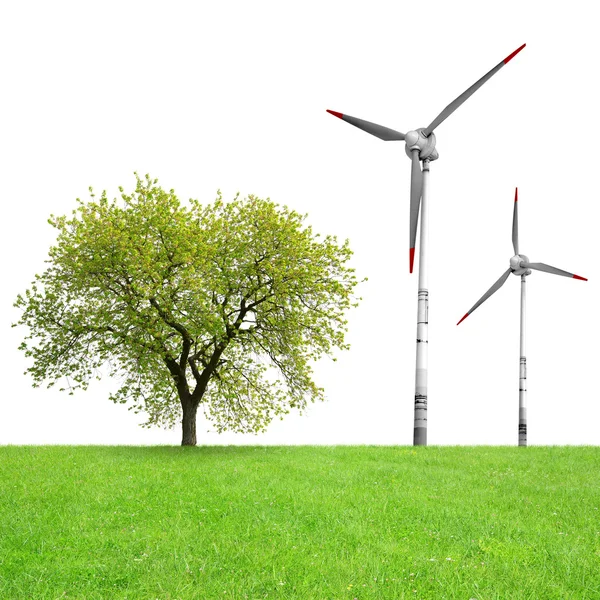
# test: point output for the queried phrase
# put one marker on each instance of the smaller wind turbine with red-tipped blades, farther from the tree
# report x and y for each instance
(520, 265)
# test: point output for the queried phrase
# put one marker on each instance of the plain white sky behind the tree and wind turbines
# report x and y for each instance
(232, 95)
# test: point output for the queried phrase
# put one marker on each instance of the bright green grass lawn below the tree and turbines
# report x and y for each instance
(305, 522)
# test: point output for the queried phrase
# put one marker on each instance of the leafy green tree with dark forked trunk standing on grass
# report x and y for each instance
(223, 306)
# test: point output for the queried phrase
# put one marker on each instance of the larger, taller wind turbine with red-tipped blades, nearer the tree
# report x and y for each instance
(420, 147)
